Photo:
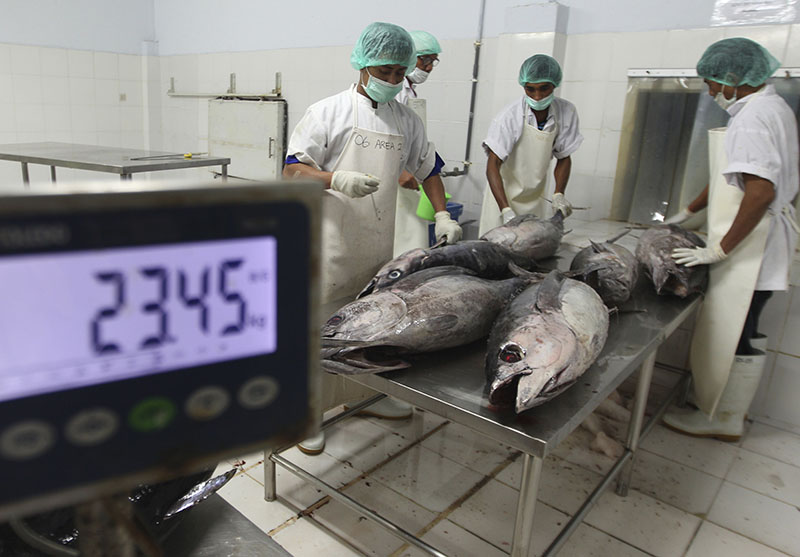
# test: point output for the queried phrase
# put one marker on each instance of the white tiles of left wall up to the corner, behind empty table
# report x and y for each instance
(54, 94)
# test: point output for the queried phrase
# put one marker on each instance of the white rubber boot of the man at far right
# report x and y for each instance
(728, 423)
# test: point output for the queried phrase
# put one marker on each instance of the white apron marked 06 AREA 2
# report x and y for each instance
(357, 233)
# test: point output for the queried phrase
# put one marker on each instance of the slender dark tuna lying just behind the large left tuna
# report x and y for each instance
(486, 259)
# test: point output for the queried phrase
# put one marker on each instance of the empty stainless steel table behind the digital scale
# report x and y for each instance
(124, 162)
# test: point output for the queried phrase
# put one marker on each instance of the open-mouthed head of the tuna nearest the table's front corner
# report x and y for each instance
(528, 366)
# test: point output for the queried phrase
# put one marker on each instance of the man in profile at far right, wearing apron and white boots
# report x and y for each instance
(751, 234)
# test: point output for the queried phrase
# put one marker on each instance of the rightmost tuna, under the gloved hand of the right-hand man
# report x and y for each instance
(654, 252)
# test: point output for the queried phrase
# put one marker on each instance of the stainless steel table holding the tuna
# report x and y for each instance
(451, 383)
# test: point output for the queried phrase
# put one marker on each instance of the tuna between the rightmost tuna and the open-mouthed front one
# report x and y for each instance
(610, 269)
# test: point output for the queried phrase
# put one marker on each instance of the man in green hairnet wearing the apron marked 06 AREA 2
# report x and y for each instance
(357, 143)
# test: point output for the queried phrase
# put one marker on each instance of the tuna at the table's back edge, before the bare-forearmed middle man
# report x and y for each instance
(529, 236)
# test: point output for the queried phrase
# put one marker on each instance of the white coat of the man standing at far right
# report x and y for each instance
(762, 141)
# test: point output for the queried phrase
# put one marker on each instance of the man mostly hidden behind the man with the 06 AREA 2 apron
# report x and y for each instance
(410, 230)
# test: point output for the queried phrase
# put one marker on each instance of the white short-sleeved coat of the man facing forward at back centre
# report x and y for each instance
(506, 128)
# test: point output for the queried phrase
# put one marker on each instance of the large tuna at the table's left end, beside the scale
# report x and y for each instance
(429, 310)
